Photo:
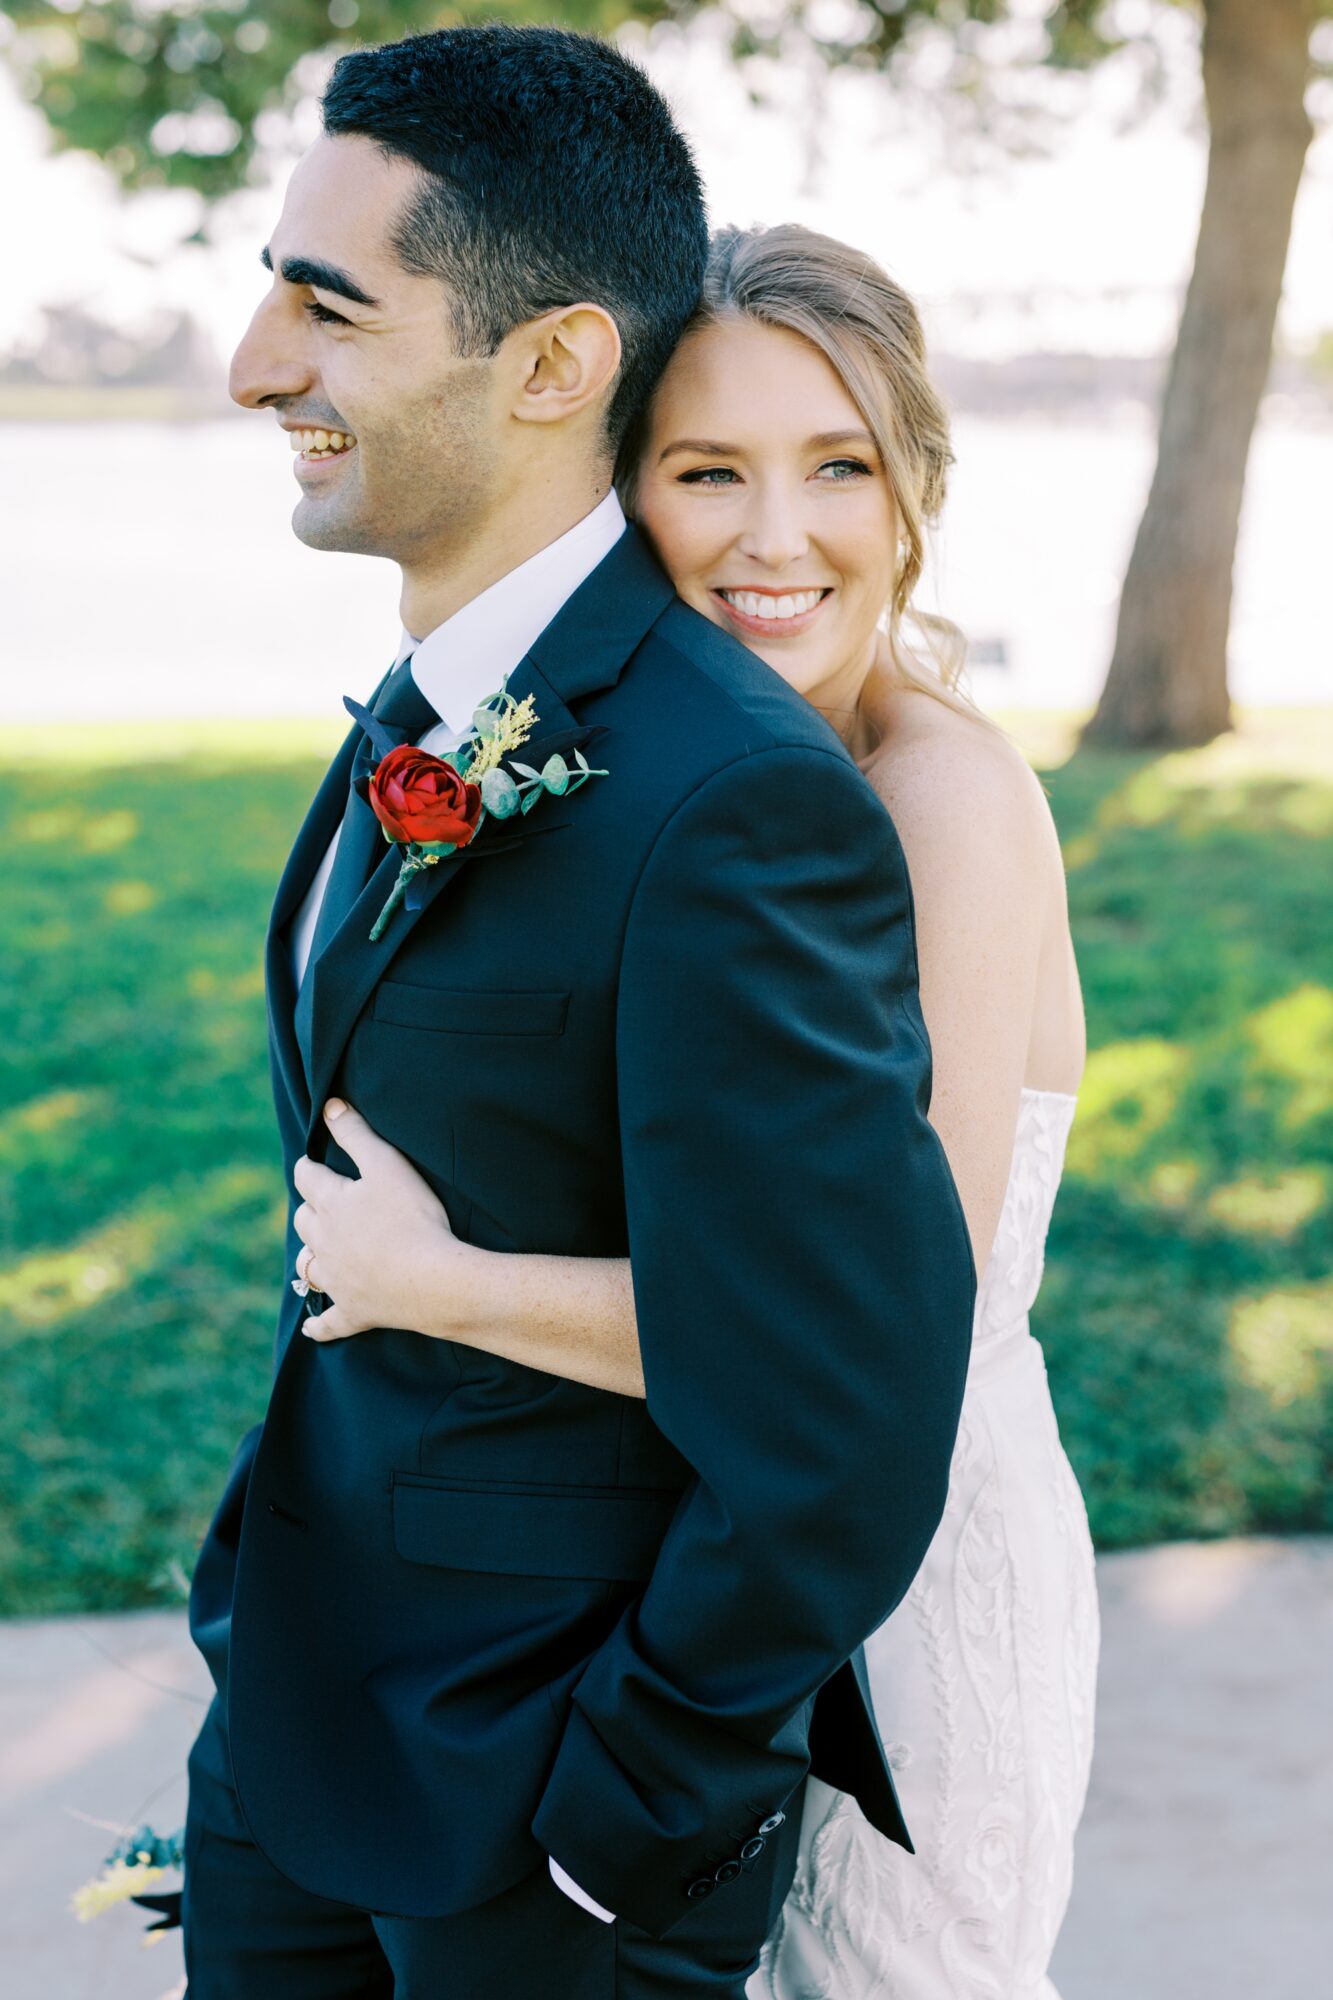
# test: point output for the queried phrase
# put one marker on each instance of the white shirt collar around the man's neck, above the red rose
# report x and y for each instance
(467, 657)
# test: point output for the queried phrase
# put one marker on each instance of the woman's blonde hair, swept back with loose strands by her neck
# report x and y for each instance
(870, 331)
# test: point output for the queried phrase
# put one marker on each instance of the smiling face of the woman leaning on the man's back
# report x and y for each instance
(770, 507)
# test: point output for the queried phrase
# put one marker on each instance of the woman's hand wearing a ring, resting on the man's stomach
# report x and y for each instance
(381, 1247)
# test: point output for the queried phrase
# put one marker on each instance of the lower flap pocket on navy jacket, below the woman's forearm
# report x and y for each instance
(603, 1533)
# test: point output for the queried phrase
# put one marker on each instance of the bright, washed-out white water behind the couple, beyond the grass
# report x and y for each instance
(151, 571)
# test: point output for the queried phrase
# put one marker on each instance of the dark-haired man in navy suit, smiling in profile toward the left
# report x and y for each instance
(517, 1679)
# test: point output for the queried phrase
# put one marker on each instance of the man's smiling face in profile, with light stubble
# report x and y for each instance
(351, 345)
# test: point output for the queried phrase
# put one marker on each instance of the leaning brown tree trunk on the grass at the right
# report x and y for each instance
(1168, 679)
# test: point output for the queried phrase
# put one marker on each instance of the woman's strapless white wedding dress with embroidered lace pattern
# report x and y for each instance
(984, 1683)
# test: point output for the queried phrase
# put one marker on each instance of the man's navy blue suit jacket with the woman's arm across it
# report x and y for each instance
(463, 1613)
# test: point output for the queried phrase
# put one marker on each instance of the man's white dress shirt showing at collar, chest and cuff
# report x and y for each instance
(457, 667)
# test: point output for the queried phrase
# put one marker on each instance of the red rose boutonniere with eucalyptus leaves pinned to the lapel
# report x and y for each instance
(437, 805)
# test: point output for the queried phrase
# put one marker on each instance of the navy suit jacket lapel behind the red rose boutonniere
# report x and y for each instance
(583, 649)
